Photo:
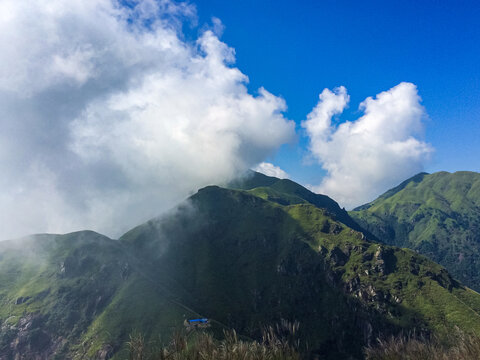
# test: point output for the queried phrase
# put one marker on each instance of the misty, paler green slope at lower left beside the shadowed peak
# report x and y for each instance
(77, 295)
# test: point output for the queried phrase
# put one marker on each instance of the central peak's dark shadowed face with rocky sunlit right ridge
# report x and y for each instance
(256, 261)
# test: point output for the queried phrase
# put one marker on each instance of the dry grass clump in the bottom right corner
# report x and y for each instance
(456, 346)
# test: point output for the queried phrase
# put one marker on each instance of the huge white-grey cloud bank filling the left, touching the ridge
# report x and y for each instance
(110, 117)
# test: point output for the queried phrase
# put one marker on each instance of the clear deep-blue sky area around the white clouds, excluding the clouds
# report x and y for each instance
(296, 49)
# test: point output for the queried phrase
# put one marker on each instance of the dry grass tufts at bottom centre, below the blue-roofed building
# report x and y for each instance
(278, 343)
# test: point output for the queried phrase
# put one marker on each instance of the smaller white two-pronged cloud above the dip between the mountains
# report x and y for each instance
(365, 157)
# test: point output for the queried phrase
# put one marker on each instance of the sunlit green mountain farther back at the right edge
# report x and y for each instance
(437, 215)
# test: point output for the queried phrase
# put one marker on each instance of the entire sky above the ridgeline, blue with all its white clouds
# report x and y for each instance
(112, 112)
